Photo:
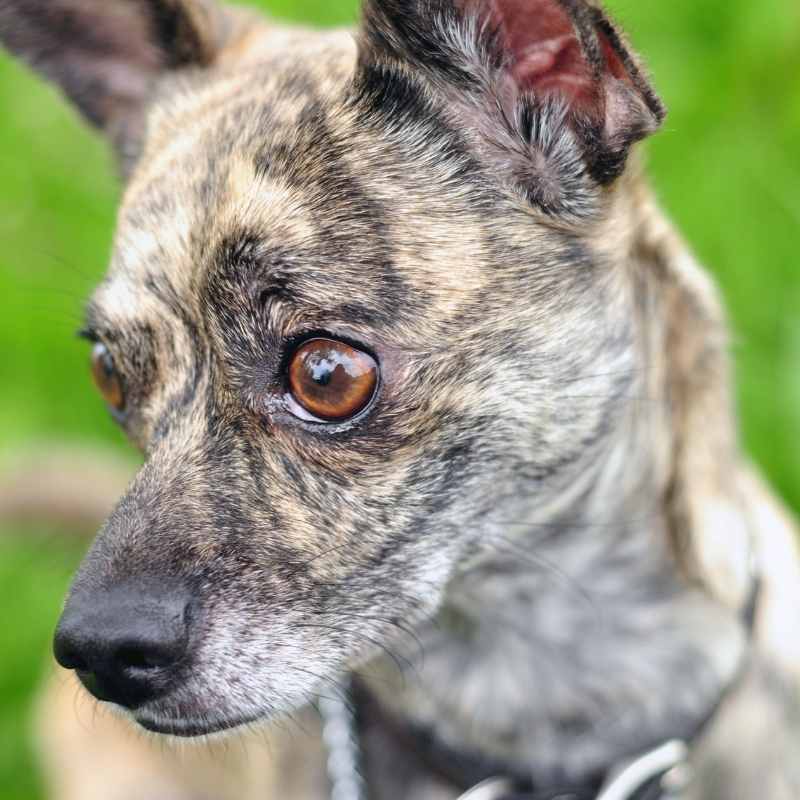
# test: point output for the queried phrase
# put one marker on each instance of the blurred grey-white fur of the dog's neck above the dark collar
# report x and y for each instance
(557, 648)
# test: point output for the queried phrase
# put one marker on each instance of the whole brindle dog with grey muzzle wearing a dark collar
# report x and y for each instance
(435, 407)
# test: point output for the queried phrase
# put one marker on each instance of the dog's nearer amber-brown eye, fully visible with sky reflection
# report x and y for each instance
(331, 380)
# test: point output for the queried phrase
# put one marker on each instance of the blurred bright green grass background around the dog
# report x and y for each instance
(727, 167)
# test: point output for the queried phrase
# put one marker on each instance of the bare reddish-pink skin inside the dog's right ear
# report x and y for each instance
(546, 56)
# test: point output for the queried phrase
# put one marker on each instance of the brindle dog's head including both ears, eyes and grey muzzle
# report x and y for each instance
(353, 291)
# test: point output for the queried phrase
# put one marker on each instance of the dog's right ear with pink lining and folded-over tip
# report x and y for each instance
(548, 88)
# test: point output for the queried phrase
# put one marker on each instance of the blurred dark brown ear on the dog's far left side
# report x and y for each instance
(107, 54)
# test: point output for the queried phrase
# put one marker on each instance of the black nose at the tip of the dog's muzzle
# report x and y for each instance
(126, 644)
